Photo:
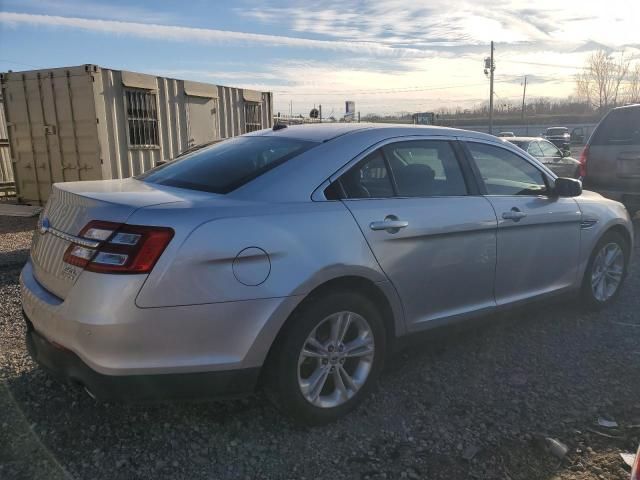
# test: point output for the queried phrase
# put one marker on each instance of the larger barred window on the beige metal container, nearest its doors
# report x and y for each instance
(142, 118)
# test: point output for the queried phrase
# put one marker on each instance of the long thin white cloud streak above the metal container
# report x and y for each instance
(178, 33)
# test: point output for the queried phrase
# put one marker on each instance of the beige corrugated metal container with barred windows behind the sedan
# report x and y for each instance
(92, 123)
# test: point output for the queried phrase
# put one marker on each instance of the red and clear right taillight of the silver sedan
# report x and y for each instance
(122, 248)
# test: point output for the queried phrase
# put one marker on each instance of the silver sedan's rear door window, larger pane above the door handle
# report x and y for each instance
(426, 168)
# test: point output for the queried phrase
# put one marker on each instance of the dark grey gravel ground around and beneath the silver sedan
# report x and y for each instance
(476, 403)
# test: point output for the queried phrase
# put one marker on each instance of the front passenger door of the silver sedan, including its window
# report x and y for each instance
(538, 233)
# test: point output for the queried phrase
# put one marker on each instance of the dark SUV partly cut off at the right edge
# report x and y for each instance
(610, 161)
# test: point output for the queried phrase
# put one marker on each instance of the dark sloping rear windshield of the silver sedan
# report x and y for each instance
(225, 166)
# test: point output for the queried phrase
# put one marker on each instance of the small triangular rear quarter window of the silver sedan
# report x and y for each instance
(368, 179)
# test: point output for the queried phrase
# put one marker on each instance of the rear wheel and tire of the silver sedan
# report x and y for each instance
(290, 374)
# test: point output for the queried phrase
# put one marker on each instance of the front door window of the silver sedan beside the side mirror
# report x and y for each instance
(505, 173)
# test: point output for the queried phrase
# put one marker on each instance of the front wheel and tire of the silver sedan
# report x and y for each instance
(594, 295)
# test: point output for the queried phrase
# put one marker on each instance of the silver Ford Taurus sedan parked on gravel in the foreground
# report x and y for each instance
(295, 258)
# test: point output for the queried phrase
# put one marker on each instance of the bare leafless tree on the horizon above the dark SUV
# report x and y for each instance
(599, 82)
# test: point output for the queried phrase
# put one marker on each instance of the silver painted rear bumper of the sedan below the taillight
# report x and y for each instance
(99, 323)
